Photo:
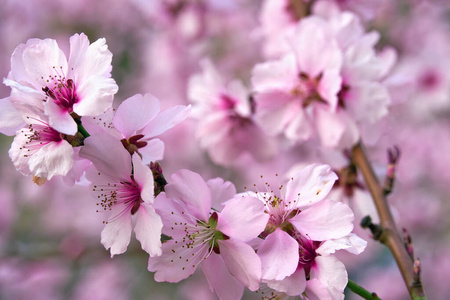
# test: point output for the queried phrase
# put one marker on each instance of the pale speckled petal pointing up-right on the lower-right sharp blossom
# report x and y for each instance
(311, 185)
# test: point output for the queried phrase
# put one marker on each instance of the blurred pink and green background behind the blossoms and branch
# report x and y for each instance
(50, 235)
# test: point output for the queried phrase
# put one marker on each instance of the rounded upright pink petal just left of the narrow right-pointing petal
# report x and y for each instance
(135, 113)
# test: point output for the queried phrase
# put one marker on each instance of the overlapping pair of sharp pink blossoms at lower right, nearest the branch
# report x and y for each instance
(302, 232)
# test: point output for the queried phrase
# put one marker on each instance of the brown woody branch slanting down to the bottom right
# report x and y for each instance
(389, 234)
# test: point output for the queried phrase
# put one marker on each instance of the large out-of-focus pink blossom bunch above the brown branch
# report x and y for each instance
(329, 83)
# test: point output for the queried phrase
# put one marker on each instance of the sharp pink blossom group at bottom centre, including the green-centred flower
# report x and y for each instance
(284, 240)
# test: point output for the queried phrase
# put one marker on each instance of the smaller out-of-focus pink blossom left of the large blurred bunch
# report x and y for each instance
(225, 124)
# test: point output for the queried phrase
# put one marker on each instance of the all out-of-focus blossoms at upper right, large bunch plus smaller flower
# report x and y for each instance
(323, 79)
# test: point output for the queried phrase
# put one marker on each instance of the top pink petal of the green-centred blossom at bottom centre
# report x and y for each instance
(190, 188)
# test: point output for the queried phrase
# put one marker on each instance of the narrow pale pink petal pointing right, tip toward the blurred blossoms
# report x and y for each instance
(166, 120)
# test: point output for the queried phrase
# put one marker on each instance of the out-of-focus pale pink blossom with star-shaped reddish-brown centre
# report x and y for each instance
(291, 93)
